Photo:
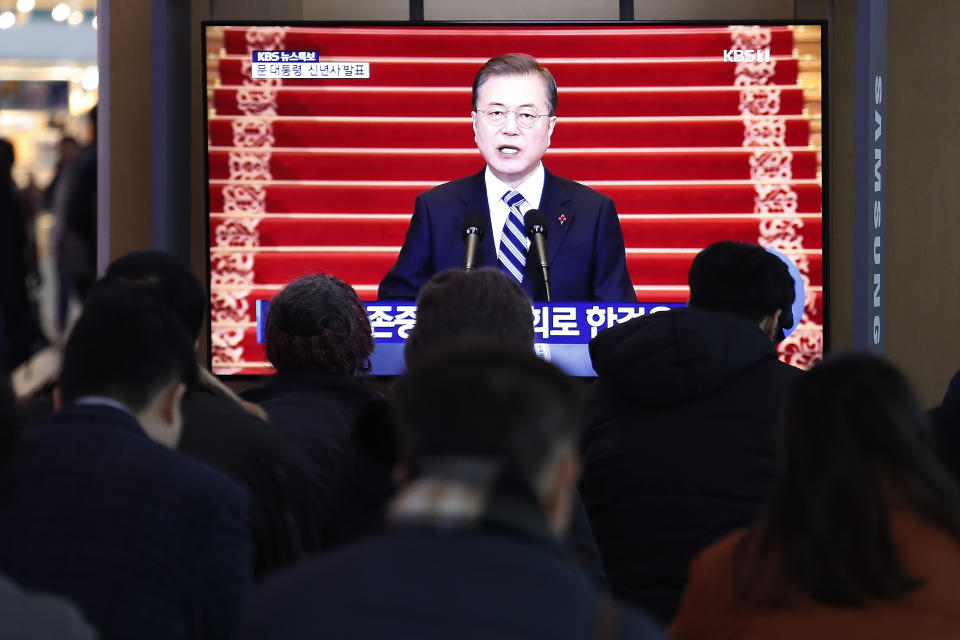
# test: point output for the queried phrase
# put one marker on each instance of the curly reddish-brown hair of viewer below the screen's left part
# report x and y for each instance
(319, 321)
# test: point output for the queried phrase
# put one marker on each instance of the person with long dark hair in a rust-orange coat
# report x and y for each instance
(861, 535)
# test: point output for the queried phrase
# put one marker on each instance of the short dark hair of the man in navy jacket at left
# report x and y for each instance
(125, 346)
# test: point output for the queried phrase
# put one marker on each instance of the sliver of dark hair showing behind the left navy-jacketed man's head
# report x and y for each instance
(164, 278)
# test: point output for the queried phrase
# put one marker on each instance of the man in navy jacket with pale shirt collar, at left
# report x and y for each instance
(149, 543)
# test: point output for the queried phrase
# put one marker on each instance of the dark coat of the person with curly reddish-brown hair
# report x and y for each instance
(314, 413)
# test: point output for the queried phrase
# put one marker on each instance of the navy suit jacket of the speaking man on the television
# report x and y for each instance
(586, 253)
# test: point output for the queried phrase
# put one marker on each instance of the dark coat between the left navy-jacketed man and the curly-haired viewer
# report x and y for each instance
(222, 434)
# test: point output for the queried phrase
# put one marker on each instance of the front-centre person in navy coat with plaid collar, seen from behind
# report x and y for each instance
(487, 437)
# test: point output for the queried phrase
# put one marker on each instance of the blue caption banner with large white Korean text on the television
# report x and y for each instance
(562, 330)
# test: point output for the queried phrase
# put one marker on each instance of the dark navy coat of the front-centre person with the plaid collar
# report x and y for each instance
(496, 580)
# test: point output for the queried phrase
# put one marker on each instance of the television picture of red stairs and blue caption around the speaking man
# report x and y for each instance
(321, 136)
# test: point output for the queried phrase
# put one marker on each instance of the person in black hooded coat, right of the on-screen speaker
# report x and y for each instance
(680, 426)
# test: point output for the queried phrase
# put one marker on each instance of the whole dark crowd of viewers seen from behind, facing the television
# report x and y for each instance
(699, 488)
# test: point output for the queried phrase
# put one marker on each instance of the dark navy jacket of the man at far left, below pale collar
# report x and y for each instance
(147, 542)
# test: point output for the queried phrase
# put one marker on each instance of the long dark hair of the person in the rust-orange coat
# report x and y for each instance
(855, 445)
